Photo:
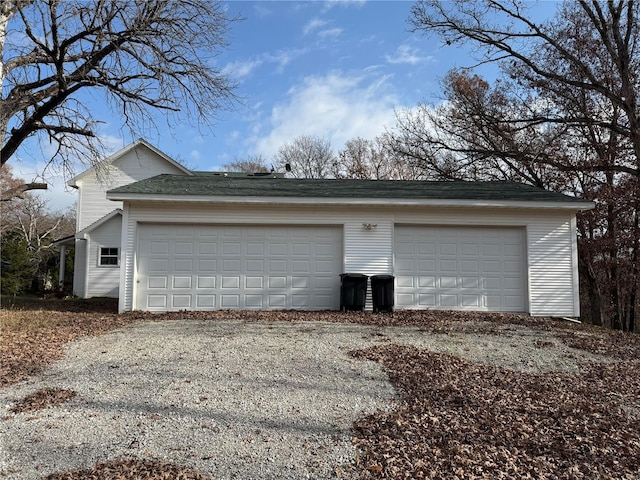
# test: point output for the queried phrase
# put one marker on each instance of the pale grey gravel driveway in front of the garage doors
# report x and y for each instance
(233, 399)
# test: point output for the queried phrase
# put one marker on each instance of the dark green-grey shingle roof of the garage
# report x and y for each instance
(233, 186)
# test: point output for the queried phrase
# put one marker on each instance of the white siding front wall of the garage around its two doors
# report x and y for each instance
(371, 251)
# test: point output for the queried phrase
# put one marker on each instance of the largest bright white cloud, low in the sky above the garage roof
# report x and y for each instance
(334, 106)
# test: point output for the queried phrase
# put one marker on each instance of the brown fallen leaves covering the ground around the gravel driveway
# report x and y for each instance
(455, 419)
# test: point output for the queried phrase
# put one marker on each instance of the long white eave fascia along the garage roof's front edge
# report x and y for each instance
(337, 201)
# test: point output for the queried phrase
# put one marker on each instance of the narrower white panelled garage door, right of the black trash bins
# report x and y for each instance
(460, 268)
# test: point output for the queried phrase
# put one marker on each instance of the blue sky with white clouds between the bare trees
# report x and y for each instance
(336, 70)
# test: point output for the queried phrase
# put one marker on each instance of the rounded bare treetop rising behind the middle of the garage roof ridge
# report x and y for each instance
(306, 157)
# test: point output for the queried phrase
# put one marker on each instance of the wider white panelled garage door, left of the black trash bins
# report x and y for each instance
(200, 267)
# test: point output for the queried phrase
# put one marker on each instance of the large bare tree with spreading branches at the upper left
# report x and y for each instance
(143, 57)
